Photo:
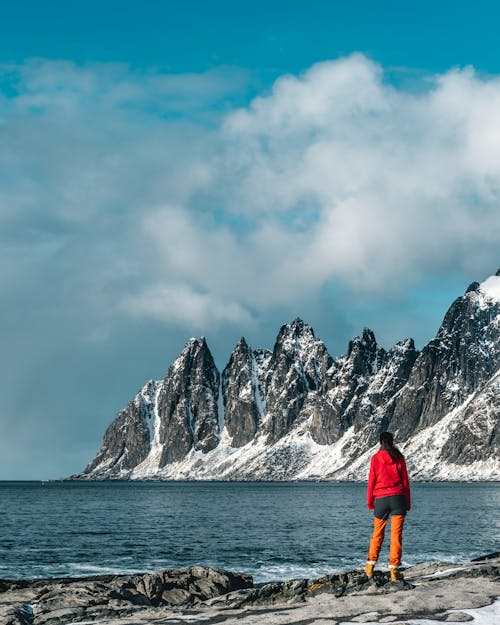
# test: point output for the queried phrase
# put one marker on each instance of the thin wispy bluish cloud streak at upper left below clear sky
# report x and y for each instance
(67, 90)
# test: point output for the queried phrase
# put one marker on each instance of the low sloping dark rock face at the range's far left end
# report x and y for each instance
(126, 442)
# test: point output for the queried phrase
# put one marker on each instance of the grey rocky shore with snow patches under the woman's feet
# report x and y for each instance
(432, 592)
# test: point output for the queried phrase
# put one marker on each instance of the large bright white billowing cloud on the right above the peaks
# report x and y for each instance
(393, 184)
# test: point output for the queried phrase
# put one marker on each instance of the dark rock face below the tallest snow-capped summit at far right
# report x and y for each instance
(462, 357)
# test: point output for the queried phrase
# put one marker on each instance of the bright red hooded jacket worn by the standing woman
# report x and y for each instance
(387, 477)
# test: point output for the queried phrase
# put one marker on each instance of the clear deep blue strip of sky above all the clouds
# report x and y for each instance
(267, 37)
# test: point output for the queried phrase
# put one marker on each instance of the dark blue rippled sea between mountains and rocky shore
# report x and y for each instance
(270, 530)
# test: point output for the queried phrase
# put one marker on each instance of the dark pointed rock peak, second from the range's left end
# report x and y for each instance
(187, 405)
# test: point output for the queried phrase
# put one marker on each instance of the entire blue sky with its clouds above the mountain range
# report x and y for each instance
(218, 168)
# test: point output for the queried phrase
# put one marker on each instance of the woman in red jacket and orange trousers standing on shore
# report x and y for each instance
(388, 494)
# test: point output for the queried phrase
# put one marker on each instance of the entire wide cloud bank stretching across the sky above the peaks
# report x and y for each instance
(143, 195)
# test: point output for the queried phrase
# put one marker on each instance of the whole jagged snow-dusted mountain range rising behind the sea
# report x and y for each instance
(297, 413)
